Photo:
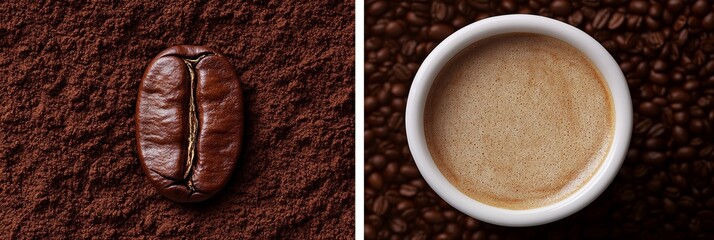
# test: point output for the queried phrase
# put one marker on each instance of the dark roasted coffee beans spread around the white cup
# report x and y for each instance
(665, 188)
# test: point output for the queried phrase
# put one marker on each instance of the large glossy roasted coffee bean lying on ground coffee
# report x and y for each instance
(189, 122)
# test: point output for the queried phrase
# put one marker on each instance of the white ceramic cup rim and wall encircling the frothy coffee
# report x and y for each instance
(485, 28)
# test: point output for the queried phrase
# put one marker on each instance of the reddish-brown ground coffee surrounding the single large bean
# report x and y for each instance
(71, 71)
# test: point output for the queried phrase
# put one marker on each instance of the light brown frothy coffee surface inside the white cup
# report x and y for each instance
(519, 121)
